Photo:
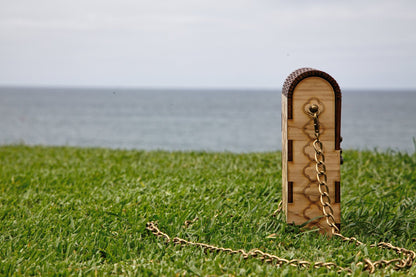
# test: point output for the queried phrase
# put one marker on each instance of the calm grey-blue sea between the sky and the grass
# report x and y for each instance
(209, 120)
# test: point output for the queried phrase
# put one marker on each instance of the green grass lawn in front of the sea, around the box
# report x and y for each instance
(81, 211)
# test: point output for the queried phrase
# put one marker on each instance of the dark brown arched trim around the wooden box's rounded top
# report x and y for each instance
(296, 77)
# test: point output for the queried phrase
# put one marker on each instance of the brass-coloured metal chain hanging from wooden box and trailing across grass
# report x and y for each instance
(406, 261)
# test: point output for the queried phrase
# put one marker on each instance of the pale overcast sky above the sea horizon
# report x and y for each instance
(247, 44)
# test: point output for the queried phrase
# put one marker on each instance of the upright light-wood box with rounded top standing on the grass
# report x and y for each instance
(303, 88)
